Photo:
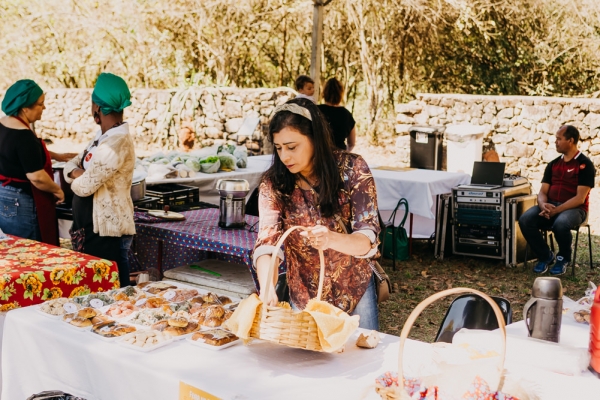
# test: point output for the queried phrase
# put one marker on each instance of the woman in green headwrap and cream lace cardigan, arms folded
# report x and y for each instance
(101, 180)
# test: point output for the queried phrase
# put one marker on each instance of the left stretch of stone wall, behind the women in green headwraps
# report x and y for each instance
(158, 116)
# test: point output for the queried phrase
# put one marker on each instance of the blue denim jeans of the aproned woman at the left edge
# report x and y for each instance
(17, 213)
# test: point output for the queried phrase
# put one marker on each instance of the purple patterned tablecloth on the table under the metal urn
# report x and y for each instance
(197, 238)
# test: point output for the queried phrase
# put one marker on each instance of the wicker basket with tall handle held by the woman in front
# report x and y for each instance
(283, 325)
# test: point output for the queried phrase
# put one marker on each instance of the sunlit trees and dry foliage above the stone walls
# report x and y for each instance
(385, 51)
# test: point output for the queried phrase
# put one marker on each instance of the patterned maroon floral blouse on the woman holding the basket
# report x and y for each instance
(346, 277)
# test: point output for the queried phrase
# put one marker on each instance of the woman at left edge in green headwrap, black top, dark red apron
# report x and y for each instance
(28, 193)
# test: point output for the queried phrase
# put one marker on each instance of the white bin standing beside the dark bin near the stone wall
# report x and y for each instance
(464, 145)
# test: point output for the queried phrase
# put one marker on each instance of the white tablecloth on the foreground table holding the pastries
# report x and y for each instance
(40, 353)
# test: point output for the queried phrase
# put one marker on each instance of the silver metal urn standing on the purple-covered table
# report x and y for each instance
(232, 204)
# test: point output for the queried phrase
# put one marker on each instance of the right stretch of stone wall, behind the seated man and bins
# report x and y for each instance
(521, 128)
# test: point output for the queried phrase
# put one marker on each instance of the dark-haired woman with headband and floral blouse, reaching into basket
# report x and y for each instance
(331, 191)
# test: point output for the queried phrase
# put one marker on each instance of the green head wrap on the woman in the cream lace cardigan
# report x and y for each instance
(111, 93)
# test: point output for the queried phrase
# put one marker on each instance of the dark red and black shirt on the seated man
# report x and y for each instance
(564, 177)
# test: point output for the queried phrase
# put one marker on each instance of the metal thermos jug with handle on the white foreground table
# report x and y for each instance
(543, 312)
